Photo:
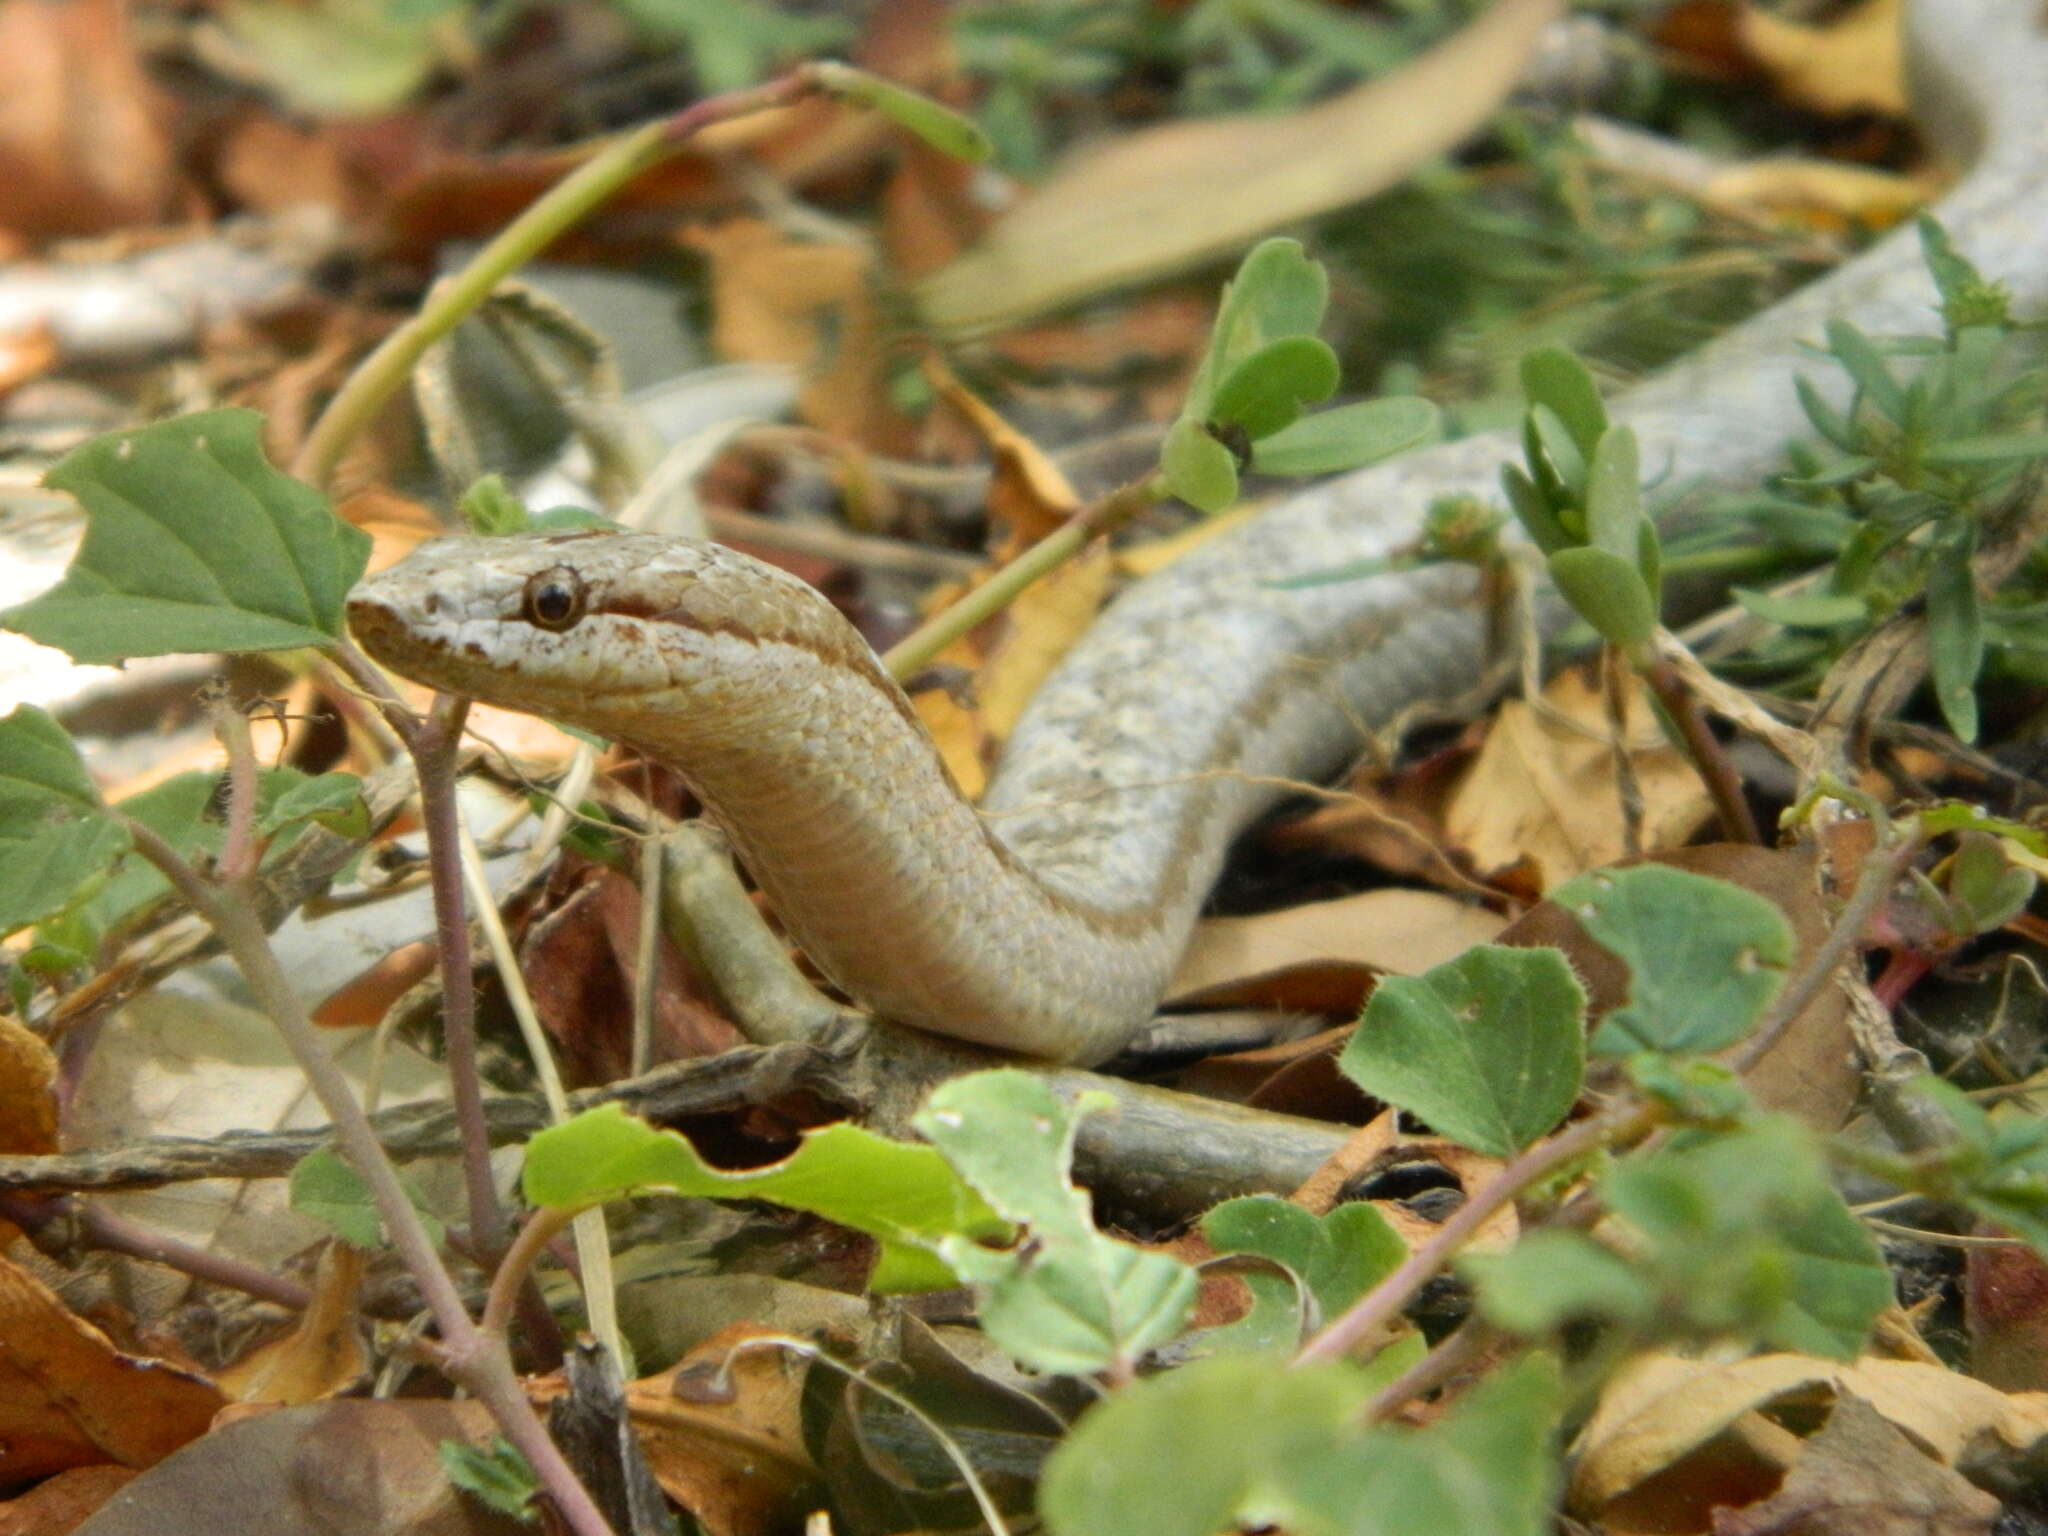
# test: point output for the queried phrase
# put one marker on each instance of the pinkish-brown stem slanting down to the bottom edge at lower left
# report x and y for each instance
(476, 1359)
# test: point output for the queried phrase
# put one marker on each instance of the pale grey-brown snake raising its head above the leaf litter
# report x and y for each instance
(1048, 921)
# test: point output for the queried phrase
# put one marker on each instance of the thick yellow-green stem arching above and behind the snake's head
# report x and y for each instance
(546, 220)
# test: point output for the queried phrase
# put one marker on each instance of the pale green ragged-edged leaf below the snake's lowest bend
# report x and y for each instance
(1068, 1299)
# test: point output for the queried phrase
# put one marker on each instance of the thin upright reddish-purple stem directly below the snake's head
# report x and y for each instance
(435, 746)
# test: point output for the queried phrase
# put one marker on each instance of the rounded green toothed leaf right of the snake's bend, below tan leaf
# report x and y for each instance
(1490, 1048)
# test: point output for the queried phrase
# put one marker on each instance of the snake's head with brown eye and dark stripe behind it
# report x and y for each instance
(597, 630)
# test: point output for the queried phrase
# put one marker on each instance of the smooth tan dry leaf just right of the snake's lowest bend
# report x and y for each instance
(1381, 933)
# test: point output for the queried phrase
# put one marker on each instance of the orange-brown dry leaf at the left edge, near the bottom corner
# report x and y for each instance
(69, 1398)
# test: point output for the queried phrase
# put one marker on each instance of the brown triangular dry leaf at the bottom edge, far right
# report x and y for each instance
(1863, 1478)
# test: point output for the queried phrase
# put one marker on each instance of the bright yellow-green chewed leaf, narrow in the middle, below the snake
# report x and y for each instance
(902, 1195)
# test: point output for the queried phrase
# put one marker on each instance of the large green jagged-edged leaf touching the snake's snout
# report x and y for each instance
(194, 544)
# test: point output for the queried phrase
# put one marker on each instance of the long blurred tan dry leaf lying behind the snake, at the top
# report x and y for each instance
(1172, 198)
